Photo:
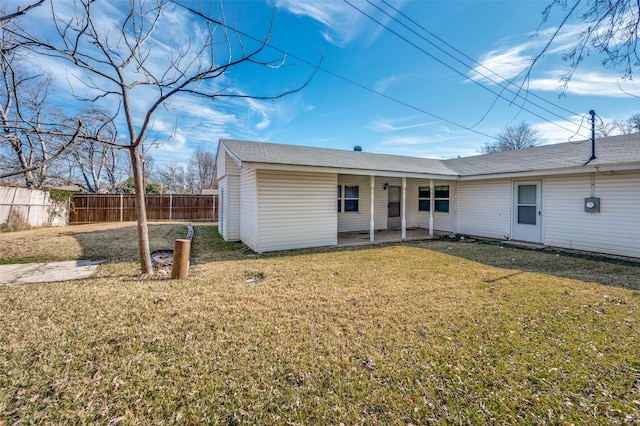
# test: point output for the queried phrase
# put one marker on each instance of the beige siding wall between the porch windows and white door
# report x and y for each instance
(484, 208)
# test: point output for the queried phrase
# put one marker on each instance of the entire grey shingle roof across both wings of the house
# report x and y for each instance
(610, 150)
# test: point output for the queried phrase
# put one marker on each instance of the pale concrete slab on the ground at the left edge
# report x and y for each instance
(31, 273)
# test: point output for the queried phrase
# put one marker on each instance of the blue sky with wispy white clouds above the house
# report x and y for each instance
(388, 94)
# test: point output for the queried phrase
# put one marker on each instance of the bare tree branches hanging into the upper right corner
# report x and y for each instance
(612, 28)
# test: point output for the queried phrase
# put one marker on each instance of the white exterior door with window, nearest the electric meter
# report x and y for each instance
(527, 211)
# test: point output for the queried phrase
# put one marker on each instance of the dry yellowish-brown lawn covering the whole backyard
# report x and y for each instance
(422, 333)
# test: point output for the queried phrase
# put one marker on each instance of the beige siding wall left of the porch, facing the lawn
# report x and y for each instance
(296, 210)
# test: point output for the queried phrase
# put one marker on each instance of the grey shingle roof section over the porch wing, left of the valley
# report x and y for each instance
(272, 153)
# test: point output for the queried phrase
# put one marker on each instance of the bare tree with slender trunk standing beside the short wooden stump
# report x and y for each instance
(125, 61)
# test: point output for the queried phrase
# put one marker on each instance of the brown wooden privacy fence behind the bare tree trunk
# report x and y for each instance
(89, 208)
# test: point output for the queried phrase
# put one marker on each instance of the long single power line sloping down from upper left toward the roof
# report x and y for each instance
(346, 79)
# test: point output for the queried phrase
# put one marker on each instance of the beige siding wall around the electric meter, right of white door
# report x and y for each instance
(615, 230)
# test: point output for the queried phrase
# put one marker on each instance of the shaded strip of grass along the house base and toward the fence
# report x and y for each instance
(121, 245)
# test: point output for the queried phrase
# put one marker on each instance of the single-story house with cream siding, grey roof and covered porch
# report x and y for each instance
(277, 197)
